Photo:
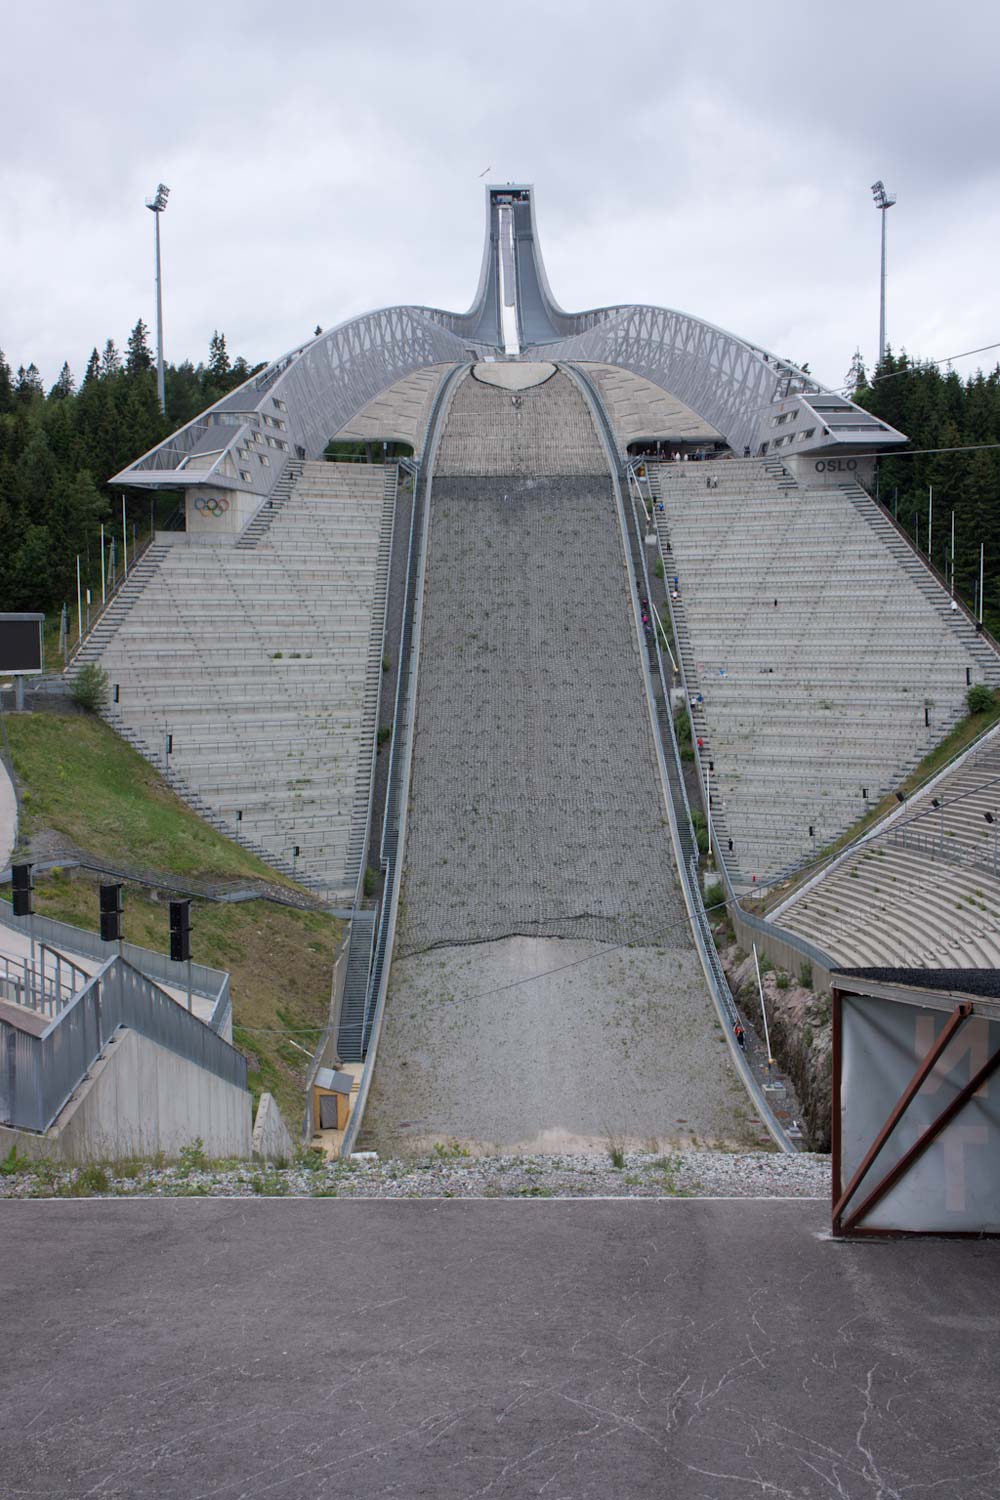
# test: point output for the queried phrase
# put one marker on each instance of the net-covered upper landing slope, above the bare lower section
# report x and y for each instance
(536, 799)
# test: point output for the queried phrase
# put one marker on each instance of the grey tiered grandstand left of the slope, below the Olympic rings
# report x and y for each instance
(251, 674)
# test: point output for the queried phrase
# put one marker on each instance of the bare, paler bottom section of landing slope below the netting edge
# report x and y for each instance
(611, 1045)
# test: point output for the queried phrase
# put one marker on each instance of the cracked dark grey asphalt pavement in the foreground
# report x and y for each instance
(647, 1351)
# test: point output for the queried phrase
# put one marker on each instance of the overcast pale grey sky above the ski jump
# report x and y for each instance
(325, 160)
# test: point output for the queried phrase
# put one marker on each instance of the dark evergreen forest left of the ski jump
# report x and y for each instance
(59, 448)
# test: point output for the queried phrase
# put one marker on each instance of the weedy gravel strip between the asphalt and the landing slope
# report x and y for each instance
(448, 1174)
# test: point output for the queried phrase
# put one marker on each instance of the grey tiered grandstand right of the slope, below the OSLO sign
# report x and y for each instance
(822, 658)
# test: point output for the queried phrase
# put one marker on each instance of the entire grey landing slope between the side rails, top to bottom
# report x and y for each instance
(545, 986)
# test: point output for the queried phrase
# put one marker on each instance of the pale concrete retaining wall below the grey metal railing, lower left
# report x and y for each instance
(142, 1100)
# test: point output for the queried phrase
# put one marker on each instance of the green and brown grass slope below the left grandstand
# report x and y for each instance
(76, 776)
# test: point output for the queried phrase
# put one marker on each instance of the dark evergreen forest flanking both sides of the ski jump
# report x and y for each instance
(59, 448)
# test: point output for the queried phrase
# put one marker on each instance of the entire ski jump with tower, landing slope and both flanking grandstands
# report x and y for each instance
(539, 967)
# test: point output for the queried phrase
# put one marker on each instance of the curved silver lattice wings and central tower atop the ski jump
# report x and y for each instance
(747, 395)
